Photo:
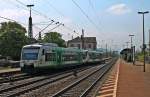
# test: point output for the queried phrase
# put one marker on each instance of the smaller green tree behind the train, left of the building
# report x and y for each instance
(54, 37)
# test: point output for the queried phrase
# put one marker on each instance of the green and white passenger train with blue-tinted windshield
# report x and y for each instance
(46, 56)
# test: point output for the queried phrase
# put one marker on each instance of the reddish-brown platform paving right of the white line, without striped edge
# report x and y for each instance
(132, 81)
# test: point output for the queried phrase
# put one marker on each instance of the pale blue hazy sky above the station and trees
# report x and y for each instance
(110, 21)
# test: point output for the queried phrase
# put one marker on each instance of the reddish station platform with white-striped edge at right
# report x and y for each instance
(126, 80)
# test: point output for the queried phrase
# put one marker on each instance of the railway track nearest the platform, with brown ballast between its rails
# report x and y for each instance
(81, 87)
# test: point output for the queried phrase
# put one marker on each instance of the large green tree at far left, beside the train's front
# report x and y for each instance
(12, 38)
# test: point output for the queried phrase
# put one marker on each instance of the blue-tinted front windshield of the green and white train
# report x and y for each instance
(30, 53)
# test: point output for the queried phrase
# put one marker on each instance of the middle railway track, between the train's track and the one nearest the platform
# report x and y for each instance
(22, 87)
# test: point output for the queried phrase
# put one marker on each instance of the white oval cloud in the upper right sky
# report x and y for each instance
(119, 9)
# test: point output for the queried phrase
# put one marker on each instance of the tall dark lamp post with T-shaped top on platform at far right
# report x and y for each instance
(144, 46)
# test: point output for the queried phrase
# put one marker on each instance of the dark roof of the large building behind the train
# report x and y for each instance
(86, 39)
